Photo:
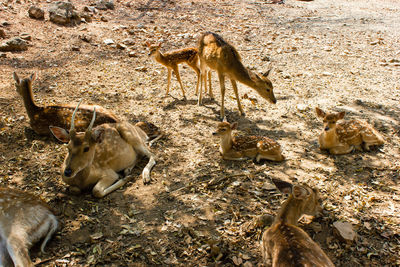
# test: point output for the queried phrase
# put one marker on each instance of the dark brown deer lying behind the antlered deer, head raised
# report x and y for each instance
(59, 115)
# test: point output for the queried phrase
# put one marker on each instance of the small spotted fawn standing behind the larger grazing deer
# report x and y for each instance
(171, 60)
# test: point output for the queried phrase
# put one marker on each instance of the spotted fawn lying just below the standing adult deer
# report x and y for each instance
(245, 147)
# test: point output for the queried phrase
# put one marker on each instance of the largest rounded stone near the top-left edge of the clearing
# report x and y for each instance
(63, 13)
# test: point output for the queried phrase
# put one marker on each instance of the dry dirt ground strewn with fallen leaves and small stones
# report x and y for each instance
(198, 210)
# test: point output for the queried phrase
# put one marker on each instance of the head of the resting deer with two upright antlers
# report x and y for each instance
(81, 146)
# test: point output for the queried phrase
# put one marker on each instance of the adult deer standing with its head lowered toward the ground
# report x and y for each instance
(219, 55)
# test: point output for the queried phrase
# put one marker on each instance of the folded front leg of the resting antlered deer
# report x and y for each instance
(107, 184)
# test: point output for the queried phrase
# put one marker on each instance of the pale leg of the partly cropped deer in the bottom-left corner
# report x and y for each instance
(18, 252)
